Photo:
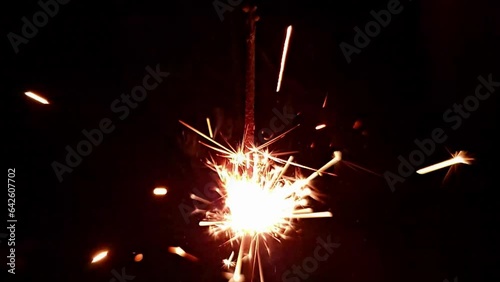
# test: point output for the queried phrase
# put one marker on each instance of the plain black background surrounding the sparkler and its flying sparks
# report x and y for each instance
(424, 61)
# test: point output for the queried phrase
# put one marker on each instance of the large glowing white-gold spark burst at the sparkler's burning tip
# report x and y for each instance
(259, 201)
